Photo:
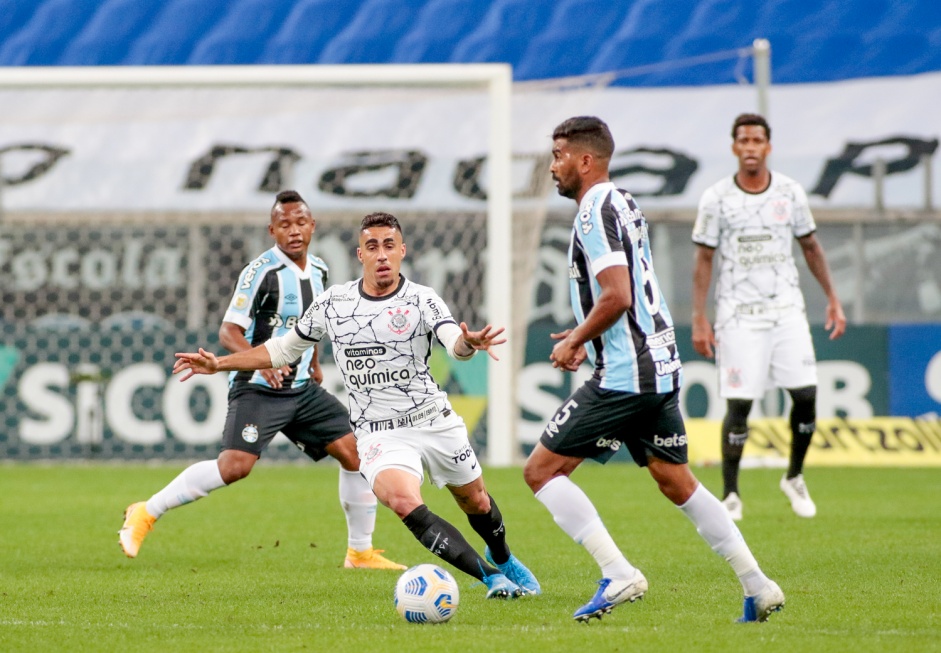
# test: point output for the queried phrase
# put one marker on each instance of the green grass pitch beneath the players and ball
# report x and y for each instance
(258, 567)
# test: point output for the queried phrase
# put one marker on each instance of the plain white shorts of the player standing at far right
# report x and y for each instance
(751, 361)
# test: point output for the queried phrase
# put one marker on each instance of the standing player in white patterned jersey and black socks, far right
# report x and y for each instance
(761, 335)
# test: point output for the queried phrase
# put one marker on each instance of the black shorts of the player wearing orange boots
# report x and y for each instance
(311, 419)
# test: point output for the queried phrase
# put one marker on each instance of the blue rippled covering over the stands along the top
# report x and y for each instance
(827, 40)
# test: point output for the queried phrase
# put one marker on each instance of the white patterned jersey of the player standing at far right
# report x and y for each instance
(754, 233)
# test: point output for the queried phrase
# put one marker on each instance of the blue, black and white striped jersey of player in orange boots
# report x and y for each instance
(270, 296)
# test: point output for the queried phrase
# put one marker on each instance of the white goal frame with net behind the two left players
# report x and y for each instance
(132, 197)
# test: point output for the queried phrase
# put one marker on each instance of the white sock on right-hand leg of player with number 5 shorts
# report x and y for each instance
(713, 522)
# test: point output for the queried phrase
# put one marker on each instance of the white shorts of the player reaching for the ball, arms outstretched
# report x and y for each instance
(443, 449)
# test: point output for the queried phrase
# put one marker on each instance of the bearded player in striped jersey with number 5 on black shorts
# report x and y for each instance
(624, 325)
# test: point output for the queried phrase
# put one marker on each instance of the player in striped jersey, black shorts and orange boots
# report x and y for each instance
(271, 294)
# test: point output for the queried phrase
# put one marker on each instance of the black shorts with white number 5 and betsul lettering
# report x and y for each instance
(594, 422)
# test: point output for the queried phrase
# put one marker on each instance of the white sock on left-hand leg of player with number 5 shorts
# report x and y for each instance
(573, 511)
